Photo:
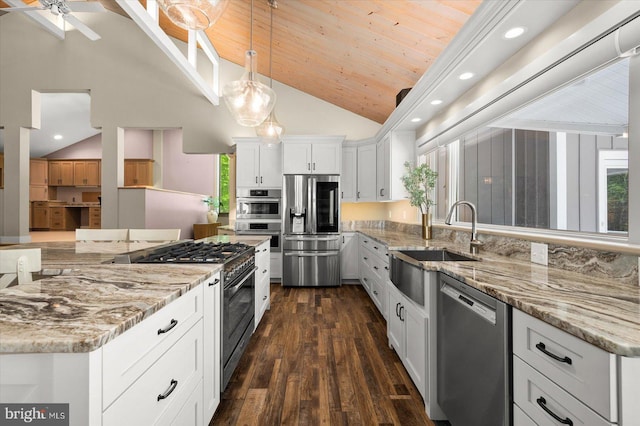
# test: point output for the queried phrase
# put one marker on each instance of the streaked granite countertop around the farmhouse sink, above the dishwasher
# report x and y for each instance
(602, 312)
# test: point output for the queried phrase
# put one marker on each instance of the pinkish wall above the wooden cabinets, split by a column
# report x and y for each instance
(138, 143)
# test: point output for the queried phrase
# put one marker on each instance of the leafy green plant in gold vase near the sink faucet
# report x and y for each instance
(419, 182)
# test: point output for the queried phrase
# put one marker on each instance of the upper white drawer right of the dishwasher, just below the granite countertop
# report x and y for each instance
(589, 373)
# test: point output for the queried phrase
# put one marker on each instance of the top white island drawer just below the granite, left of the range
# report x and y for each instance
(129, 355)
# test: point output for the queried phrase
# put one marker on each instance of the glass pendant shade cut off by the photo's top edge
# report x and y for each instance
(193, 14)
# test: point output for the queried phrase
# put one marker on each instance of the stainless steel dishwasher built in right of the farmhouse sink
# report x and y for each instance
(474, 368)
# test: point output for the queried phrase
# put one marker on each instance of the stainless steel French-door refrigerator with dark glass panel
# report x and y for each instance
(311, 230)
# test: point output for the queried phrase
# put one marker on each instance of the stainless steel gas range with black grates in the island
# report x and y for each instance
(238, 281)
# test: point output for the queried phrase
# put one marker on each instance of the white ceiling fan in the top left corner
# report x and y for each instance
(63, 9)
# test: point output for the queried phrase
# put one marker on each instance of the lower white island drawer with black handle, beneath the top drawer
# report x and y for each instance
(165, 387)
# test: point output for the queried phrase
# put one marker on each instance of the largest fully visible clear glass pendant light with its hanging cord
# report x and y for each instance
(248, 100)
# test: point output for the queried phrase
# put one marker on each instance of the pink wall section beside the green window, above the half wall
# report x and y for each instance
(185, 172)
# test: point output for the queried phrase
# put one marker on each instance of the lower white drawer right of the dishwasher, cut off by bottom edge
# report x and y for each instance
(532, 391)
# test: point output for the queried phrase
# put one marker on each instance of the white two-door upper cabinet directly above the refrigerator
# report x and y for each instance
(312, 155)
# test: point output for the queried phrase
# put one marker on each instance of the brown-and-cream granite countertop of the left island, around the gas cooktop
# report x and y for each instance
(81, 303)
